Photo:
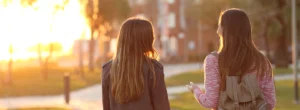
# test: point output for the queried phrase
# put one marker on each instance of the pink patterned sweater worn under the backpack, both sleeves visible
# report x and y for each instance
(210, 98)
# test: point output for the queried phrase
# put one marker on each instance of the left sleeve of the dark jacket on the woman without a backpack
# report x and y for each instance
(105, 92)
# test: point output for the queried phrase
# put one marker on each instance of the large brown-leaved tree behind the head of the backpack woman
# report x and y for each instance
(269, 19)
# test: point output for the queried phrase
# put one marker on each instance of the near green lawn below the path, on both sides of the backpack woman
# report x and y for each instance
(284, 92)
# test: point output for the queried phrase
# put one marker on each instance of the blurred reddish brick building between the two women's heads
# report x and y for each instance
(178, 38)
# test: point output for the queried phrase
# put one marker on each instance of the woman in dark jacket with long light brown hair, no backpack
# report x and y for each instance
(134, 80)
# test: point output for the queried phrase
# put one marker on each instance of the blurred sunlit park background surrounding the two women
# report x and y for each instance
(51, 51)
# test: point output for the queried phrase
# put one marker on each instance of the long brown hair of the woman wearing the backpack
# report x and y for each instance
(238, 54)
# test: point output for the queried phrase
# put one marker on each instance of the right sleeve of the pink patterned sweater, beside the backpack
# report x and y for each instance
(268, 89)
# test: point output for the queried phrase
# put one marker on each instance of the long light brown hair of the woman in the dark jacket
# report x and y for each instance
(134, 48)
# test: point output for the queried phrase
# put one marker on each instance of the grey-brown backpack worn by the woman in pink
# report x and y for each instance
(243, 95)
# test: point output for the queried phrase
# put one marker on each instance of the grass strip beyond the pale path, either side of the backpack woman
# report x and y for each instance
(198, 77)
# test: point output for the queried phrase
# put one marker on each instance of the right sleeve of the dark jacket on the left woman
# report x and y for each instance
(159, 93)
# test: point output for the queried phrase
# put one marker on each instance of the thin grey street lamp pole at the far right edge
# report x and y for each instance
(294, 45)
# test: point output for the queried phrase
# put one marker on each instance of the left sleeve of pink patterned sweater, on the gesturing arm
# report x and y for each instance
(209, 99)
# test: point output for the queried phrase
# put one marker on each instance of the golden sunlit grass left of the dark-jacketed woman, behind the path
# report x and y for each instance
(29, 82)
